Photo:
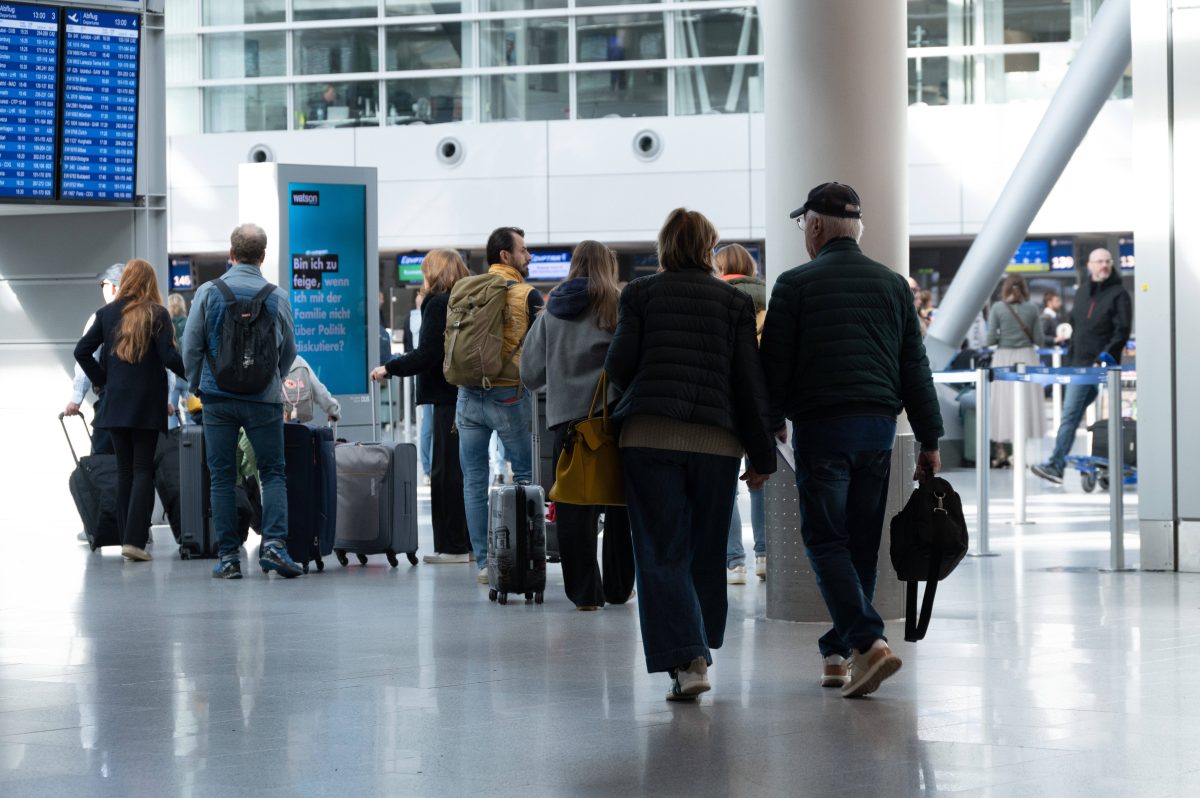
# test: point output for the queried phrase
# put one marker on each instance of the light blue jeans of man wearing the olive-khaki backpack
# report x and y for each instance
(481, 412)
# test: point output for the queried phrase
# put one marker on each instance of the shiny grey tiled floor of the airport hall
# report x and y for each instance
(1041, 677)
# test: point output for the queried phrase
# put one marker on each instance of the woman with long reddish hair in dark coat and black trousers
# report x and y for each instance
(139, 339)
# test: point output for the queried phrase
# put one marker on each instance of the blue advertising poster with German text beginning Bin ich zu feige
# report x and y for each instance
(327, 243)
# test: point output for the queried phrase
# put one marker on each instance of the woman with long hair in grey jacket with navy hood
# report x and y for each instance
(565, 353)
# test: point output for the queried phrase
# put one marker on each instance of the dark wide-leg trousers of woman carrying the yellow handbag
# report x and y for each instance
(680, 506)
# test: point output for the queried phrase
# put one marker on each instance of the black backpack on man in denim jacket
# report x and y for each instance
(249, 357)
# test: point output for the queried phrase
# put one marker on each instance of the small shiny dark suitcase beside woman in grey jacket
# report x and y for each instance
(517, 543)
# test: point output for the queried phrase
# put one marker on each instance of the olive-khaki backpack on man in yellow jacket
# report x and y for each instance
(475, 339)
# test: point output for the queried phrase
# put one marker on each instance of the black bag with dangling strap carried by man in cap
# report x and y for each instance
(929, 539)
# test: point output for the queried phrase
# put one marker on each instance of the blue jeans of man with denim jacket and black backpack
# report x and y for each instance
(265, 429)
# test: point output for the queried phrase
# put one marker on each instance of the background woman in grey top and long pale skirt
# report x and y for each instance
(1016, 328)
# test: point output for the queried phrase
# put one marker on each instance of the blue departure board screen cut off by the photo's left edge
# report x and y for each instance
(29, 53)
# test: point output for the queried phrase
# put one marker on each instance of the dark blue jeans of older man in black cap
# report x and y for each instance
(842, 475)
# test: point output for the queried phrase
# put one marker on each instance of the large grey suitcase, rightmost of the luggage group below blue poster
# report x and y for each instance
(376, 501)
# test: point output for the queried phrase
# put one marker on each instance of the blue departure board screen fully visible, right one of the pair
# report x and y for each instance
(100, 106)
